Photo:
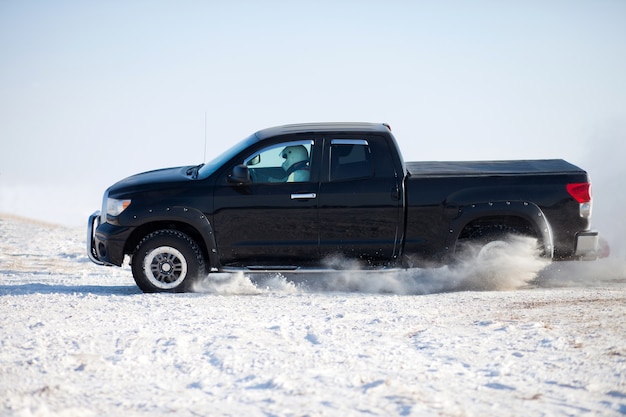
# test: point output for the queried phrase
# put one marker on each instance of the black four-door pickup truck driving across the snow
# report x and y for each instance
(288, 198)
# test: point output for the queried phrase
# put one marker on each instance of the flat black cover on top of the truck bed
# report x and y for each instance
(491, 168)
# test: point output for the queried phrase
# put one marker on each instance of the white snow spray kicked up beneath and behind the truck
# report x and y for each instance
(501, 267)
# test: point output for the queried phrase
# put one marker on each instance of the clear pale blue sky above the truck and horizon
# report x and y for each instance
(93, 91)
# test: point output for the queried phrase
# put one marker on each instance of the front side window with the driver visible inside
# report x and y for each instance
(282, 162)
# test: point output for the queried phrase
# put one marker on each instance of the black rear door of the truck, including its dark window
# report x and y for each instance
(360, 199)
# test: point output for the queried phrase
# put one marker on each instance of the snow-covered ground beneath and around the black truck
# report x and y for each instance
(81, 340)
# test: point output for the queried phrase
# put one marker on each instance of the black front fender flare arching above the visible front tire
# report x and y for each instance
(189, 216)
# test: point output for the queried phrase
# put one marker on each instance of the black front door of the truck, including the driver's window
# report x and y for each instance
(271, 221)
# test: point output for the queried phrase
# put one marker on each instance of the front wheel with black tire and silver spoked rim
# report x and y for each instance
(167, 261)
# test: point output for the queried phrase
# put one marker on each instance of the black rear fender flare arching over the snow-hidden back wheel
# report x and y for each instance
(526, 210)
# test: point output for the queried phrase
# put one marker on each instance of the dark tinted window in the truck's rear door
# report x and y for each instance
(350, 159)
